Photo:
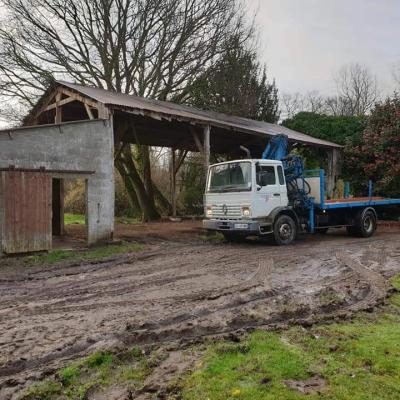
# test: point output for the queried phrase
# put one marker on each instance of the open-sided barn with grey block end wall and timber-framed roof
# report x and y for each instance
(73, 132)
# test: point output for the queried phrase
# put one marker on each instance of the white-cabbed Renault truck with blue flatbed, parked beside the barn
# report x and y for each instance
(264, 197)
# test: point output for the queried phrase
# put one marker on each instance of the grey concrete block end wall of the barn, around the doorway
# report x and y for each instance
(76, 146)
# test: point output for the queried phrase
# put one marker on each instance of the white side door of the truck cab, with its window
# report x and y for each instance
(268, 189)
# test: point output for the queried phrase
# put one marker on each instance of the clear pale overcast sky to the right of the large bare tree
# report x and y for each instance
(304, 42)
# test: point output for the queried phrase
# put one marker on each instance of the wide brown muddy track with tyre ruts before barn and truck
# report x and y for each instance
(179, 289)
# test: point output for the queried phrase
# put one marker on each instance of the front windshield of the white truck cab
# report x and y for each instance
(230, 177)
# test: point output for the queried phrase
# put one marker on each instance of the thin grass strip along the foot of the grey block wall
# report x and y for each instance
(93, 254)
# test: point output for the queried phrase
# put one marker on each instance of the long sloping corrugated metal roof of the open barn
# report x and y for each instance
(170, 110)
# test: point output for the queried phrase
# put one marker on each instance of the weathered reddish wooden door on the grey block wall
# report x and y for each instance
(27, 211)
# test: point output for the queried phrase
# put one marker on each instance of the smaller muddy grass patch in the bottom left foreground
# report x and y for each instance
(97, 371)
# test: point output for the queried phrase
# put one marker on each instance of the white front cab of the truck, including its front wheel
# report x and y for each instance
(244, 197)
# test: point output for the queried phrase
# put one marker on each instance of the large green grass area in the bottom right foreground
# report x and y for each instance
(360, 360)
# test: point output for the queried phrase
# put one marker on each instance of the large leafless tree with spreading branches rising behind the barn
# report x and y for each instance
(152, 48)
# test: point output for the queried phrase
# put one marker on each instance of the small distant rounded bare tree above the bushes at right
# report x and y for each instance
(357, 89)
